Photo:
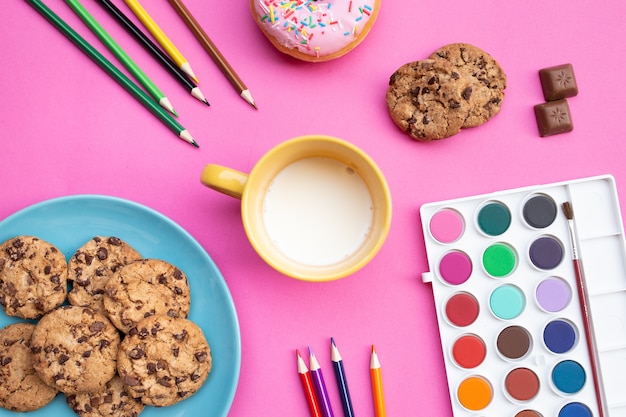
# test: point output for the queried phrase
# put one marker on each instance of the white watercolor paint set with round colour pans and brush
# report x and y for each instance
(520, 336)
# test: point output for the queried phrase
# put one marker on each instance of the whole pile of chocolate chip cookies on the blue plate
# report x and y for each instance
(124, 340)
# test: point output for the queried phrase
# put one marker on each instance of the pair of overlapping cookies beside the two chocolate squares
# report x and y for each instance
(458, 86)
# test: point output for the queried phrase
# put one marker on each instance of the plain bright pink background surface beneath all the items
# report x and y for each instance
(67, 128)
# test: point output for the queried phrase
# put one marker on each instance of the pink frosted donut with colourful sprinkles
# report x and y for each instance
(315, 31)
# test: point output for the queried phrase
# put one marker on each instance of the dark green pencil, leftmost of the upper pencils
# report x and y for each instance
(110, 69)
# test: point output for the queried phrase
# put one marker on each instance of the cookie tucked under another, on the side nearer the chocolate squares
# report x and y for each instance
(487, 80)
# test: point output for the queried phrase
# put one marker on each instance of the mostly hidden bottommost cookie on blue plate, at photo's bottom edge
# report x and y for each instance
(112, 400)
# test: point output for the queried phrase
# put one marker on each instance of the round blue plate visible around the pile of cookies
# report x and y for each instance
(69, 222)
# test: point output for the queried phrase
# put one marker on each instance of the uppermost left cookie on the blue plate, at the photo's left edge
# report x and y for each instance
(33, 277)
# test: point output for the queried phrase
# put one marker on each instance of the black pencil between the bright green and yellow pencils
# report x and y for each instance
(154, 50)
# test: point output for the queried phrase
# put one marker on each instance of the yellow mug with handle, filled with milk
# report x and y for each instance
(315, 208)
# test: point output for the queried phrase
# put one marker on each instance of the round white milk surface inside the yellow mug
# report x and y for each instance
(317, 211)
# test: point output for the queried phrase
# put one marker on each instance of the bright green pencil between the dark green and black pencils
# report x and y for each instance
(121, 55)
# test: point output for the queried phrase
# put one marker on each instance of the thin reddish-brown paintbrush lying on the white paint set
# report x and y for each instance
(583, 296)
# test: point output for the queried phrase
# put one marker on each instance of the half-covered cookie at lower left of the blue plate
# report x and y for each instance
(21, 389)
